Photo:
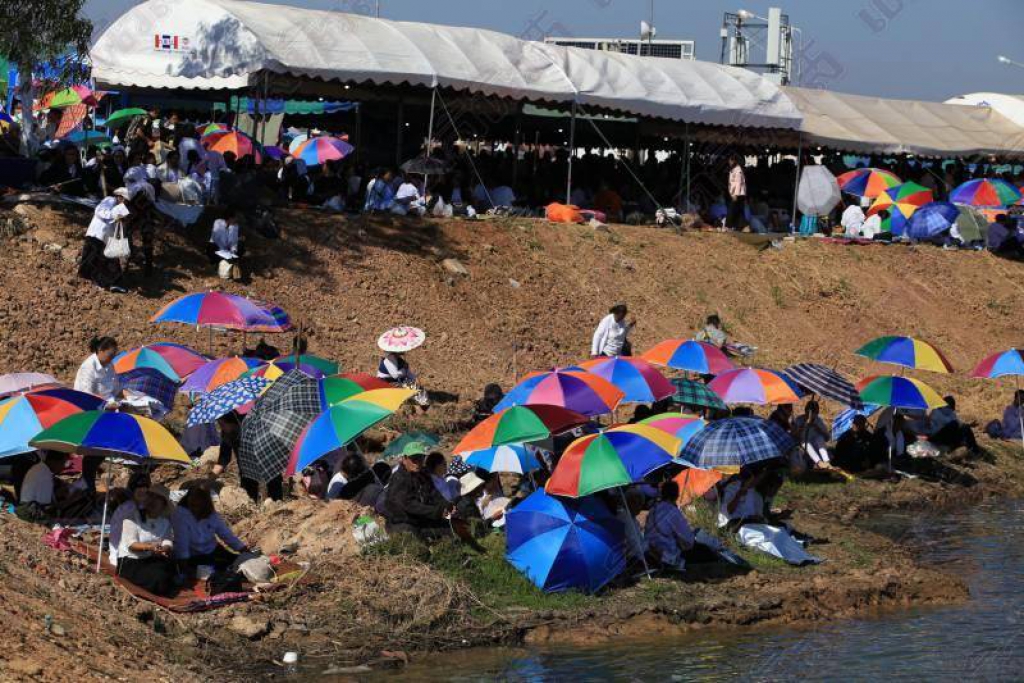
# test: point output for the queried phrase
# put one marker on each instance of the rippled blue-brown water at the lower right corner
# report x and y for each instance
(983, 639)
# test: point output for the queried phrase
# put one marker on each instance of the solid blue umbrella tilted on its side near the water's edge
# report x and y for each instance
(566, 544)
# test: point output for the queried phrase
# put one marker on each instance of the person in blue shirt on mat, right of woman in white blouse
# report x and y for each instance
(201, 535)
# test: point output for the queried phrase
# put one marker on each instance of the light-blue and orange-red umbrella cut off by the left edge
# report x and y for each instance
(24, 416)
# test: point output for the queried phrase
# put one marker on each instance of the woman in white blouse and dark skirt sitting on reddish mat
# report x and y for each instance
(145, 554)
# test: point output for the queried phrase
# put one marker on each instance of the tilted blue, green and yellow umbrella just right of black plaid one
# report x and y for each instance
(344, 423)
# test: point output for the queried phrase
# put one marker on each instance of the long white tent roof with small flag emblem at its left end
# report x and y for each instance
(226, 45)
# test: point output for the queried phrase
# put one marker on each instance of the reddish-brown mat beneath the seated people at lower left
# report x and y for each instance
(193, 597)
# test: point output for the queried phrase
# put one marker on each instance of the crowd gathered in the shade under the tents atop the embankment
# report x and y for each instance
(159, 160)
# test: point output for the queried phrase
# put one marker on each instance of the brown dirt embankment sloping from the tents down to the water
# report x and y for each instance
(530, 301)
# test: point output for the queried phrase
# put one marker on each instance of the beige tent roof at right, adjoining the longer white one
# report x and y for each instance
(875, 125)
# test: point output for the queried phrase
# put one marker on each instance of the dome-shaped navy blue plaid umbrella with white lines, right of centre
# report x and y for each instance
(737, 442)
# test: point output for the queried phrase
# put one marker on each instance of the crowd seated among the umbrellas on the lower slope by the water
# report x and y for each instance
(157, 541)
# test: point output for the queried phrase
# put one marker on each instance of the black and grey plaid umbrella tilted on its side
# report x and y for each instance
(276, 423)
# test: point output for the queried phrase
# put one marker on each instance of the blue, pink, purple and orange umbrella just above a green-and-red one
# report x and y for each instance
(579, 392)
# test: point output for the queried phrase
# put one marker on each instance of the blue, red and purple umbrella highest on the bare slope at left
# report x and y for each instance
(230, 312)
